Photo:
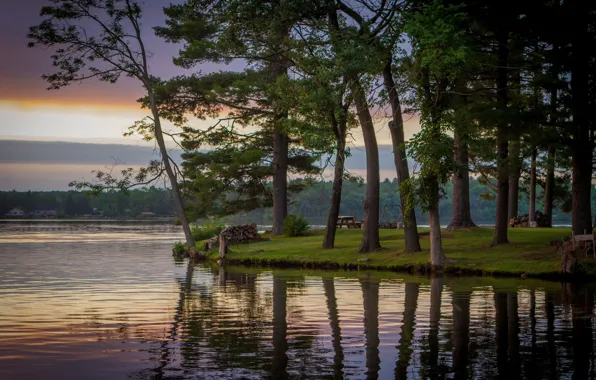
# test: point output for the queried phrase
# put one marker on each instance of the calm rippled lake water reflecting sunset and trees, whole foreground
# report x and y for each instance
(107, 301)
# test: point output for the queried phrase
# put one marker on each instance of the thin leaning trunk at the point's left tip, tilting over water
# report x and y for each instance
(178, 202)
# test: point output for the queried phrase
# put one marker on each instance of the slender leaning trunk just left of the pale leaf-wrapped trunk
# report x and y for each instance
(396, 128)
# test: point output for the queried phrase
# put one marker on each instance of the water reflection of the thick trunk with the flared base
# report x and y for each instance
(461, 333)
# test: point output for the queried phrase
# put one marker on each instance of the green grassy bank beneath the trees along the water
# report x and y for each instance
(528, 253)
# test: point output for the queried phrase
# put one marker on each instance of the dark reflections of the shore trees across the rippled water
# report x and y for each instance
(281, 324)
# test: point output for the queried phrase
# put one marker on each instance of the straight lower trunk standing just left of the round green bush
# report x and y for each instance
(280, 181)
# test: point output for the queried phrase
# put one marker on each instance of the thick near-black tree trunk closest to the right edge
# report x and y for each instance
(582, 145)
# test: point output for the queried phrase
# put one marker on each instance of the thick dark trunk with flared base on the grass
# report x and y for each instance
(460, 215)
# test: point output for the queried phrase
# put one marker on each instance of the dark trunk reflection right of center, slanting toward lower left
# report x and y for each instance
(404, 348)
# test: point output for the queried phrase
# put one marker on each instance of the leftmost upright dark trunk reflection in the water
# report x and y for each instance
(280, 342)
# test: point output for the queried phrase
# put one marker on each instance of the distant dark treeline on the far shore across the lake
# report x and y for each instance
(311, 203)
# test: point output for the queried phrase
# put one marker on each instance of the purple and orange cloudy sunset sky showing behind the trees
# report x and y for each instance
(91, 112)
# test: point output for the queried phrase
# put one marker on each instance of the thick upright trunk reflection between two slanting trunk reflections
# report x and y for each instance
(370, 295)
